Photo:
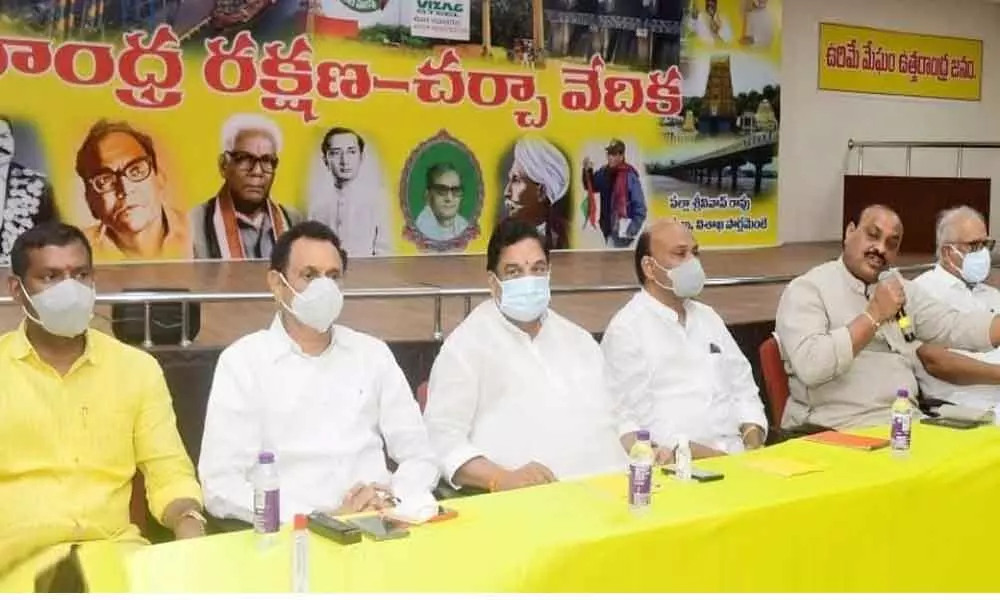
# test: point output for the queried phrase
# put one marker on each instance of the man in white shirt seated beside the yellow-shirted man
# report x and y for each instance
(321, 396)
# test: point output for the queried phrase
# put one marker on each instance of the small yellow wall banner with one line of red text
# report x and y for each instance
(878, 61)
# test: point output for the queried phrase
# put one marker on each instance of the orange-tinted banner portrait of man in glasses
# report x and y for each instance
(126, 192)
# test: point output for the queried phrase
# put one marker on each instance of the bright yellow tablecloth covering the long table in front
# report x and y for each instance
(864, 522)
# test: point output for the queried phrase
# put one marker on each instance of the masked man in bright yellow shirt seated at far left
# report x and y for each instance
(80, 412)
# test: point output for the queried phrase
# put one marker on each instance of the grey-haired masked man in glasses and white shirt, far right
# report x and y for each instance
(959, 280)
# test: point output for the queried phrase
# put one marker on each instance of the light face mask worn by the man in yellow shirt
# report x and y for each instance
(64, 309)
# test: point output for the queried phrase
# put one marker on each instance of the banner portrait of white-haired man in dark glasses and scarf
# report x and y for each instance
(242, 221)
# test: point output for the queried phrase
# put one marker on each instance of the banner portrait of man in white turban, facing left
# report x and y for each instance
(538, 180)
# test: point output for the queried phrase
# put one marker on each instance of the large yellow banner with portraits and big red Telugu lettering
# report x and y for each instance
(201, 129)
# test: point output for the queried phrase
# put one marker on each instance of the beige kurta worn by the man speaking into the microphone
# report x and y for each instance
(830, 386)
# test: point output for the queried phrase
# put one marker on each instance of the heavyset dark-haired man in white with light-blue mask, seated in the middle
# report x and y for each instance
(517, 395)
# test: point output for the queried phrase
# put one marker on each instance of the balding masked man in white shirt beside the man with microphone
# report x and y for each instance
(672, 361)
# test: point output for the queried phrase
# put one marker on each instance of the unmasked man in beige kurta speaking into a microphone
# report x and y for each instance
(844, 350)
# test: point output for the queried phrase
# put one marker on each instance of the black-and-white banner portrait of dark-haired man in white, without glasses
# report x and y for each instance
(356, 205)
